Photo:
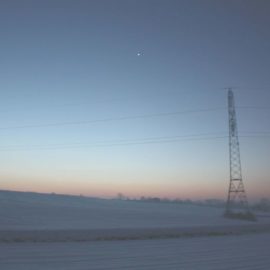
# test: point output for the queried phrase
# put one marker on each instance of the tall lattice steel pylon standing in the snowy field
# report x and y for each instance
(237, 199)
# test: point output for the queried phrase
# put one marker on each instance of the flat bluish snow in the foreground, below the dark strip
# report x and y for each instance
(245, 252)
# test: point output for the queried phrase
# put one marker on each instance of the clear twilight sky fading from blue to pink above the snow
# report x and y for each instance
(101, 97)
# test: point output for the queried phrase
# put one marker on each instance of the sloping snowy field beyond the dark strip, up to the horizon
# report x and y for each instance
(30, 211)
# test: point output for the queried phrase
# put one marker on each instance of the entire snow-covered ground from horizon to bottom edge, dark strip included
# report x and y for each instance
(47, 231)
